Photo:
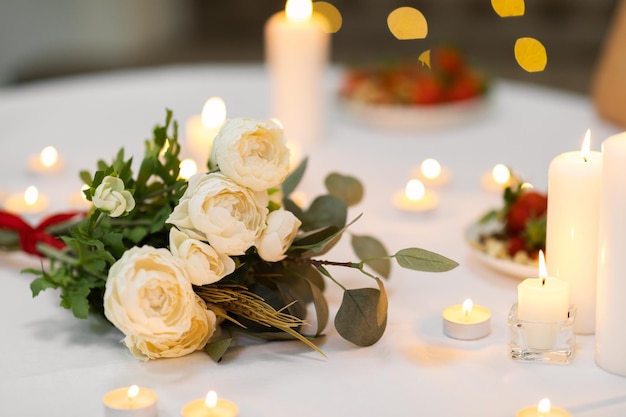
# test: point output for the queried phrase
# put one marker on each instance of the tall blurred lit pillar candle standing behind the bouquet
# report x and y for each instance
(296, 49)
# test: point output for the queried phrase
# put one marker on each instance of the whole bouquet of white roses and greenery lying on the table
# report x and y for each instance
(168, 261)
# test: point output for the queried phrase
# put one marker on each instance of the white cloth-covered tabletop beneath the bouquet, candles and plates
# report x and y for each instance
(53, 364)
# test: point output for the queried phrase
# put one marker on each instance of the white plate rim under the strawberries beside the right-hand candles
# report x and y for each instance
(472, 236)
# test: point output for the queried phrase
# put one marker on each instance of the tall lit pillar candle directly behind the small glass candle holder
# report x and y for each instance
(572, 228)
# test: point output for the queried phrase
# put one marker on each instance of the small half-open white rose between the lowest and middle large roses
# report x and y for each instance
(202, 263)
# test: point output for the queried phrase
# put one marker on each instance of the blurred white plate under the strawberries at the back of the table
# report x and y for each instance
(416, 117)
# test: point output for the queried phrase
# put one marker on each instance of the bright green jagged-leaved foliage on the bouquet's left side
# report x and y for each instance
(96, 242)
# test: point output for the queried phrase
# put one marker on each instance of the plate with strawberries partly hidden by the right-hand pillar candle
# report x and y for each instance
(509, 238)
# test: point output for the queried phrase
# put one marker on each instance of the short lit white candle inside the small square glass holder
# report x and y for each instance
(542, 300)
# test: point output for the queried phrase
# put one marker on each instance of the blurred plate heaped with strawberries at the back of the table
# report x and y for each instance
(439, 89)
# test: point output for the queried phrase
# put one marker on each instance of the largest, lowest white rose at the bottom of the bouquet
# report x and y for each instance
(148, 297)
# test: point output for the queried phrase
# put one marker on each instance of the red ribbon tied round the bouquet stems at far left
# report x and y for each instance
(29, 236)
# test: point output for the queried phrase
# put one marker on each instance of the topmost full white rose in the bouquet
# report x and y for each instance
(252, 153)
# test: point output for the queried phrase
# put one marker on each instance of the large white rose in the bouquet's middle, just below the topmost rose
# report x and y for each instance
(217, 210)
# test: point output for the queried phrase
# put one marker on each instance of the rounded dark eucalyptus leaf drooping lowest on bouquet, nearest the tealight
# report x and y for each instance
(360, 319)
